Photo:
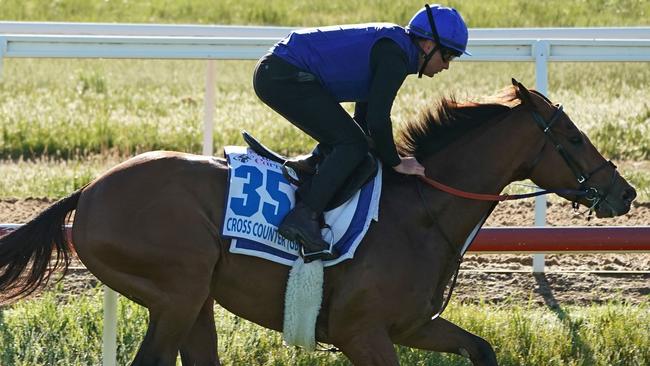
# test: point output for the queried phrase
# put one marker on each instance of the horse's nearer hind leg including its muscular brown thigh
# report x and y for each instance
(170, 275)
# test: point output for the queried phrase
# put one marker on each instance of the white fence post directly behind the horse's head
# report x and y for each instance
(541, 50)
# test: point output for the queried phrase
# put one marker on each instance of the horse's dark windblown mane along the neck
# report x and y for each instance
(436, 128)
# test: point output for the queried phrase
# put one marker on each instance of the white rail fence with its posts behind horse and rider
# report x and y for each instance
(139, 41)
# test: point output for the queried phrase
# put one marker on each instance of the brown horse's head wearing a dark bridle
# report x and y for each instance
(568, 160)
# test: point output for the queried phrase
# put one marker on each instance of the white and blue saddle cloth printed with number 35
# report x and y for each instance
(259, 197)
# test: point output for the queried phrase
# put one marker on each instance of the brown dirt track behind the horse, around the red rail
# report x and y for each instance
(499, 278)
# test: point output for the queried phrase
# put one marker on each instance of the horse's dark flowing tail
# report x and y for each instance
(26, 260)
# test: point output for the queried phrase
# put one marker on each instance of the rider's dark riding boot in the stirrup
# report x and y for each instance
(302, 224)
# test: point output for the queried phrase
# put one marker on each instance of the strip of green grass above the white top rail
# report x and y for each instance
(478, 13)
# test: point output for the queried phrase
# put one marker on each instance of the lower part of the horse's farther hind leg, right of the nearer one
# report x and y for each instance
(200, 346)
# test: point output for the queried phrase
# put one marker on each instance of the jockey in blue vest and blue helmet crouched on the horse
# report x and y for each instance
(307, 74)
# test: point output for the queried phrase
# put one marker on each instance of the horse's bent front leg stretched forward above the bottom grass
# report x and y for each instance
(441, 335)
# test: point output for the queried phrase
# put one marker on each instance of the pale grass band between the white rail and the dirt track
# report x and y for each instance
(63, 122)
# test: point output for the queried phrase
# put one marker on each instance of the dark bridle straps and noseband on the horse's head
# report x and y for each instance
(591, 194)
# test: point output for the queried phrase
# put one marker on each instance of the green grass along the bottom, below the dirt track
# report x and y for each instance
(58, 329)
